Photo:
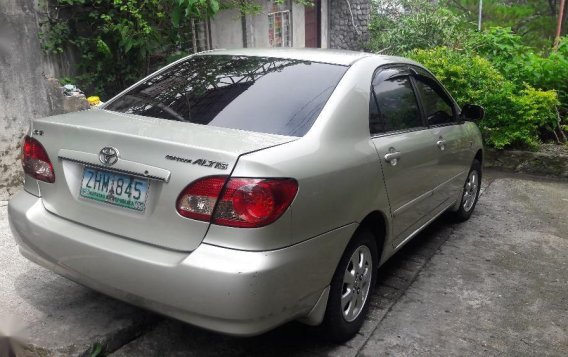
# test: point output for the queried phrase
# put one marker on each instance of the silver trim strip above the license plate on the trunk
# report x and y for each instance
(124, 166)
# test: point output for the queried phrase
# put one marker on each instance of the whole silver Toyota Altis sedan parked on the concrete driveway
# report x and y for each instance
(237, 190)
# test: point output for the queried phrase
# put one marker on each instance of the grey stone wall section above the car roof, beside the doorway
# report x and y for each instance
(348, 23)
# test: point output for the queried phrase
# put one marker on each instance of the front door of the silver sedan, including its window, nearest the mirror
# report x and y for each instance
(448, 134)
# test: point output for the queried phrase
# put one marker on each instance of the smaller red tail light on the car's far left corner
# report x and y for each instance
(35, 161)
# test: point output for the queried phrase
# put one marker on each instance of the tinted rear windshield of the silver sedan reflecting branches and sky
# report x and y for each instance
(267, 95)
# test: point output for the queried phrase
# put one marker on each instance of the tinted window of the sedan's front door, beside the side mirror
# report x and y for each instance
(437, 106)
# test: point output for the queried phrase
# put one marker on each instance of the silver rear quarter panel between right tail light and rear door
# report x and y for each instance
(335, 163)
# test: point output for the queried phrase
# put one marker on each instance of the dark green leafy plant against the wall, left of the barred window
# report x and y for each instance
(117, 41)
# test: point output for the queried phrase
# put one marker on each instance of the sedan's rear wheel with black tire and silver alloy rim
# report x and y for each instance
(343, 321)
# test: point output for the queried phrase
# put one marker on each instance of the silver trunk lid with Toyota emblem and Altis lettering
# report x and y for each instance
(166, 154)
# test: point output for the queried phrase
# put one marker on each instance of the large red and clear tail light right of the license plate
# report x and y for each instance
(241, 202)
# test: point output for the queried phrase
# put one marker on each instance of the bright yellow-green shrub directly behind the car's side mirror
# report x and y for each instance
(513, 117)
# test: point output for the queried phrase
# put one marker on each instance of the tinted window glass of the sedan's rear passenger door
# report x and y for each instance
(397, 108)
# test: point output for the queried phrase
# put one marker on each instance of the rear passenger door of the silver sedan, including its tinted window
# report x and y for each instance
(405, 149)
